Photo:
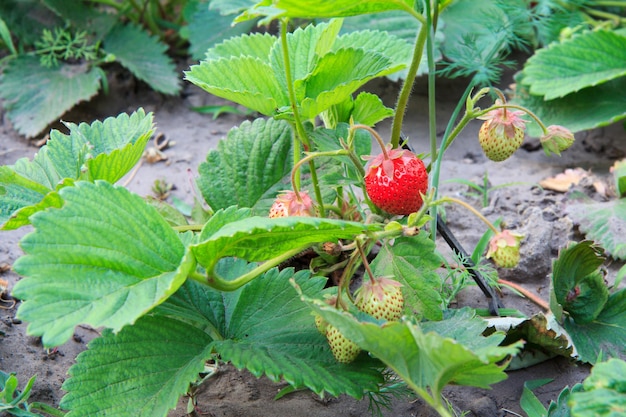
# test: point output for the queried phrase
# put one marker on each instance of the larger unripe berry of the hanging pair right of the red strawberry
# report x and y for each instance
(502, 133)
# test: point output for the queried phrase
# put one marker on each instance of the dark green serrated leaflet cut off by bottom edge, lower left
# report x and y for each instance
(140, 371)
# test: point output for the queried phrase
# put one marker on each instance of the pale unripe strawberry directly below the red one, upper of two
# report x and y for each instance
(381, 298)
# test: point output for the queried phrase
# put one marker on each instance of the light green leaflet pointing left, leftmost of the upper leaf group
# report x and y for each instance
(248, 81)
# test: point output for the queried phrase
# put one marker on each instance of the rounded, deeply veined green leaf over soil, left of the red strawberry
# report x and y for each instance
(248, 165)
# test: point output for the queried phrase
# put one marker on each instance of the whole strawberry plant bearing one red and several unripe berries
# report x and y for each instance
(297, 215)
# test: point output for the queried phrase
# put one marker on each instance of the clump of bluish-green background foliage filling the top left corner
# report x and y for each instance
(59, 52)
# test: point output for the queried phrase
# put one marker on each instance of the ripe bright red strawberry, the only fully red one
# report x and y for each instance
(395, 182)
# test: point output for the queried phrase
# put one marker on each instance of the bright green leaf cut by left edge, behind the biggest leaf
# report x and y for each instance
(103, 150)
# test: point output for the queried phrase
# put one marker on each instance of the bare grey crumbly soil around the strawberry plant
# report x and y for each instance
(533, 211)
